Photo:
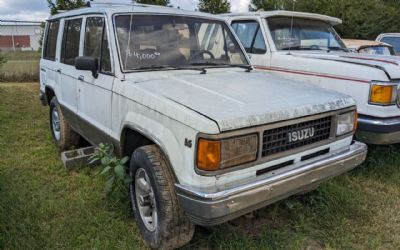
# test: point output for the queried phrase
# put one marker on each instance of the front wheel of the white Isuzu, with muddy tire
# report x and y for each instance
(160, 219)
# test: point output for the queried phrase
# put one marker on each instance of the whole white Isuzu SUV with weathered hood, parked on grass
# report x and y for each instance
(209, 139)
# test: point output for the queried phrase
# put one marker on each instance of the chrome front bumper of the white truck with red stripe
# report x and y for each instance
(381, 131)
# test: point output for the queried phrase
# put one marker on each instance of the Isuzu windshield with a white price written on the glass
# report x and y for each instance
(158, 41)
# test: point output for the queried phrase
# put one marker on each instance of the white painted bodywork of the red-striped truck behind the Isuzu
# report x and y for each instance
(362, 68)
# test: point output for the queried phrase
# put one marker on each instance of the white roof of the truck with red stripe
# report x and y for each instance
(265, 14)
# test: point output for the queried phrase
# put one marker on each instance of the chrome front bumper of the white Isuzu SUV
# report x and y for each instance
(217, 205)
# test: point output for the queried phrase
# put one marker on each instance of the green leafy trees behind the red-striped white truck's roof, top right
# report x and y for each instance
(362, 19)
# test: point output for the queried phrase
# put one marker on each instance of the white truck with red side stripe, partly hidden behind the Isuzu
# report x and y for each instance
(306, 47)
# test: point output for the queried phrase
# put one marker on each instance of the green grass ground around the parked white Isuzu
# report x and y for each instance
(42, 206)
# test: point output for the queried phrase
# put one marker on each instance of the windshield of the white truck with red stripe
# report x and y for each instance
(307, 34)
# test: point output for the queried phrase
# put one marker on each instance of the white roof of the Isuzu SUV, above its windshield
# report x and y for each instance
(131, 8)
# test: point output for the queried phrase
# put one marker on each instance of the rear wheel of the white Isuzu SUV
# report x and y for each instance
(62, 133)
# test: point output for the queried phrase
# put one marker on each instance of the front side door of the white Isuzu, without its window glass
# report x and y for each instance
(95, 93)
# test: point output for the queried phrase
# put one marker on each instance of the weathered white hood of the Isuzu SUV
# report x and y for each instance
(236, 99)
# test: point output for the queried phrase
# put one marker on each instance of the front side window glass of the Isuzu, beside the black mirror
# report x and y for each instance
(96, 42)
